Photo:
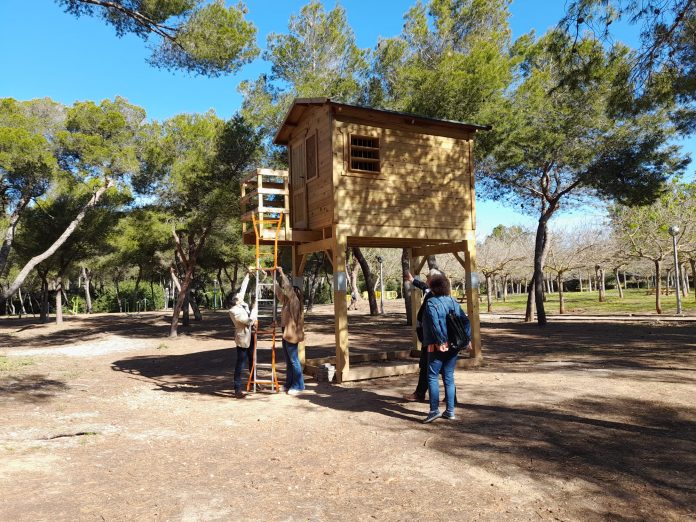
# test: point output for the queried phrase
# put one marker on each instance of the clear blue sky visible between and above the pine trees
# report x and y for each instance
(47, 53)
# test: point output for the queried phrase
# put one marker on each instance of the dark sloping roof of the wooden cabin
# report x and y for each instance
(300, 105)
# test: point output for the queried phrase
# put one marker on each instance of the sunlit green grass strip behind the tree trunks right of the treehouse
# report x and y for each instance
(635, 301)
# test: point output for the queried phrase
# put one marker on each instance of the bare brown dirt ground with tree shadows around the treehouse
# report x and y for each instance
(107, 419)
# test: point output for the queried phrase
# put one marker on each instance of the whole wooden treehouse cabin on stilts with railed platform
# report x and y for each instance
(370, 178)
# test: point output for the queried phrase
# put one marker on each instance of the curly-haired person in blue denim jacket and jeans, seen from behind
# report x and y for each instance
(441, 359)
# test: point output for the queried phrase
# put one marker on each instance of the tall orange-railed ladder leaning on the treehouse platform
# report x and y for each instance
(267, 325)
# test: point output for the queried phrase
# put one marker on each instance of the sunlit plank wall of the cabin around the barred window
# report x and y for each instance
(424, 188)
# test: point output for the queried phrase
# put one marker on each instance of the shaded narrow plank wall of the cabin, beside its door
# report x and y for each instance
(320, 189)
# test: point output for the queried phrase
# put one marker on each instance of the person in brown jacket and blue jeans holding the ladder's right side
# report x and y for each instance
(292, 323)
